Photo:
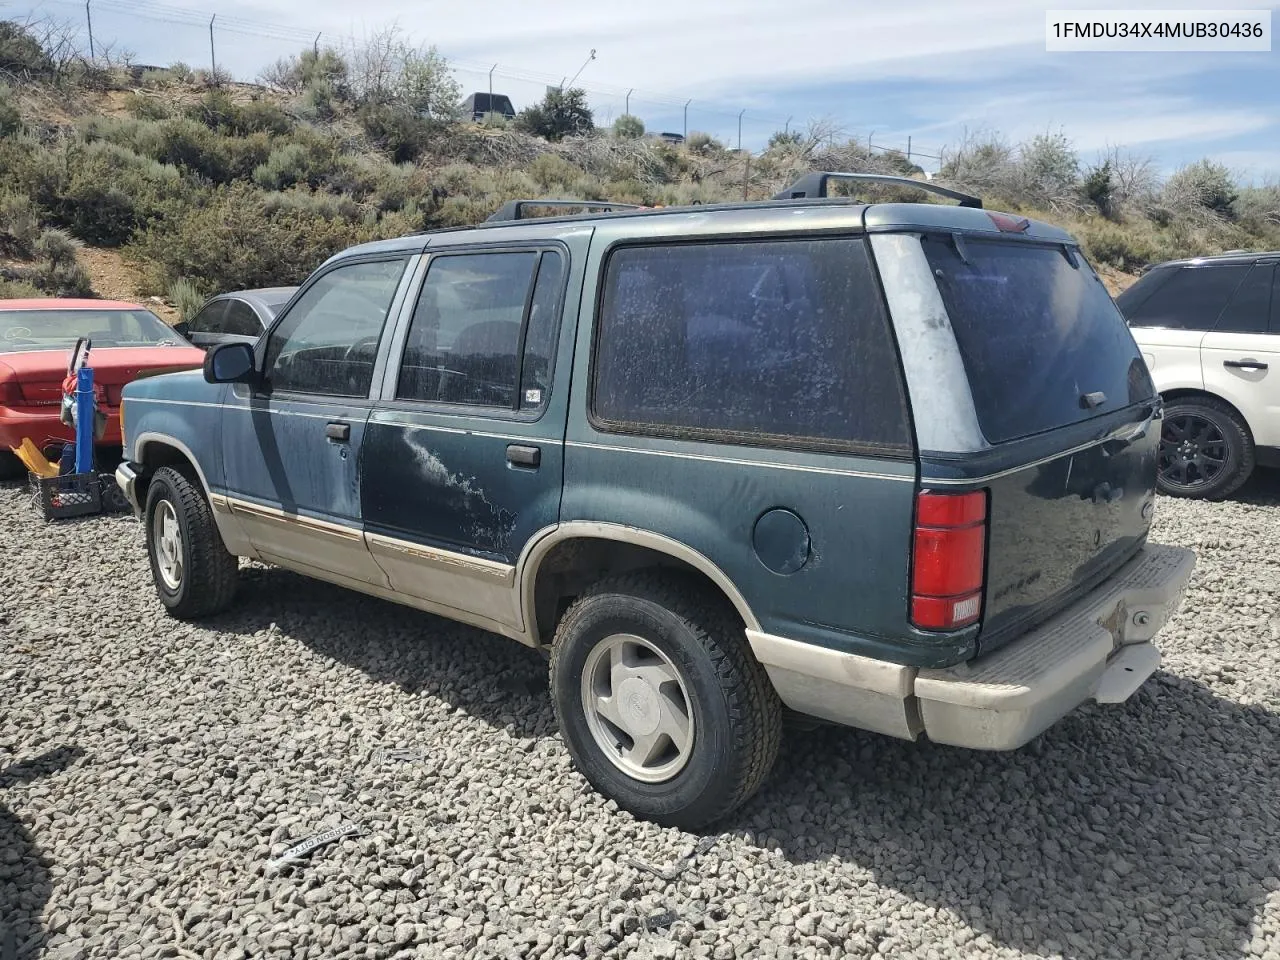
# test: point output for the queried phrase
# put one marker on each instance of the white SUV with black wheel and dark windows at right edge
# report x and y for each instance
(1210, 333)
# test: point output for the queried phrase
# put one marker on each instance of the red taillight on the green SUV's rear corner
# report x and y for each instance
(948, 560)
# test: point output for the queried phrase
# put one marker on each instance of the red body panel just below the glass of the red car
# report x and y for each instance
(40, 373)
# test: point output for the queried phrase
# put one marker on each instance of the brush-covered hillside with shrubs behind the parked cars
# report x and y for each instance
(175, 185)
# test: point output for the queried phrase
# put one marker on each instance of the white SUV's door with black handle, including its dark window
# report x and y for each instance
(1241, 358)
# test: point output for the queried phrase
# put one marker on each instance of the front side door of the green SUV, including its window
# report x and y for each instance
(292, 447)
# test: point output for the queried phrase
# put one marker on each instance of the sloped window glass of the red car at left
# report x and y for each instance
(60, 330)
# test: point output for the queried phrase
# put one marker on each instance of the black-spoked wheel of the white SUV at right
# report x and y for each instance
(1206, 451)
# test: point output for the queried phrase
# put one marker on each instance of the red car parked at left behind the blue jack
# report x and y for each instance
(36, 339)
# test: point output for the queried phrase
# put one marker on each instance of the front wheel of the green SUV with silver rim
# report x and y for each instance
(194, 574)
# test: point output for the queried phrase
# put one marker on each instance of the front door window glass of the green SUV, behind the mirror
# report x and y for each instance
(328, 341)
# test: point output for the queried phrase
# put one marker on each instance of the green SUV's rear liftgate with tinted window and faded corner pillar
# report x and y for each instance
(1058, 422)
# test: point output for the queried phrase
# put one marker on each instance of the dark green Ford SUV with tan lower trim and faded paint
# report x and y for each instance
(885, 465)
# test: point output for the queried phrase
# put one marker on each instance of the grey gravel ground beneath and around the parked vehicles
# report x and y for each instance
(152, 771)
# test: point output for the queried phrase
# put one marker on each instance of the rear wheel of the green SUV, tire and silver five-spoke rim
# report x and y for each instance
(660, 701)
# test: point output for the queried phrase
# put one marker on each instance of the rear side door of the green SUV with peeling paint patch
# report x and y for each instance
(464, 456)
